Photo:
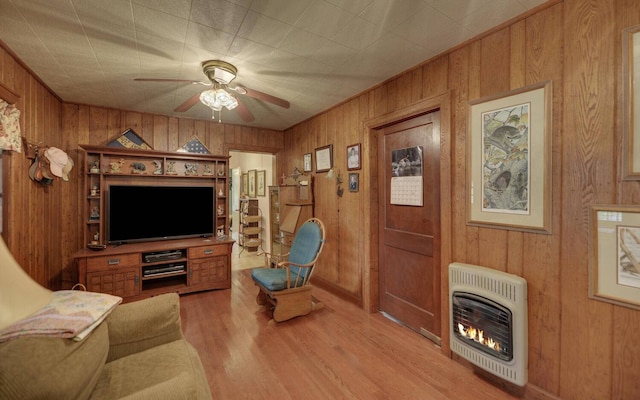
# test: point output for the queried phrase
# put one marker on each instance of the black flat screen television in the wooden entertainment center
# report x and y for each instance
(137, 213)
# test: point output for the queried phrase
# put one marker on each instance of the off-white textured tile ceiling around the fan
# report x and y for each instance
(313, 53)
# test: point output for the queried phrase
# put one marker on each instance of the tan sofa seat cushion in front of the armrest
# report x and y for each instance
(169, 371)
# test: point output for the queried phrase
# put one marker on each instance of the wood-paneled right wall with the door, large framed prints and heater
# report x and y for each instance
(578, 348)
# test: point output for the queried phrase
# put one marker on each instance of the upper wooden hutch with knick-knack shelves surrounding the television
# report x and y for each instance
(158, 167)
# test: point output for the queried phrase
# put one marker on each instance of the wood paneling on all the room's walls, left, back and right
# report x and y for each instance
(578, 348)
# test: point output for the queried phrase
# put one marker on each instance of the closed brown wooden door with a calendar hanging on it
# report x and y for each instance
(409, 248)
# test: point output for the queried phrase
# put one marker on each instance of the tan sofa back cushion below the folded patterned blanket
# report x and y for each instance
(35, 367)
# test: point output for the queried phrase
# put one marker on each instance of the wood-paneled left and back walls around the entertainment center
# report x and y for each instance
(44, 224)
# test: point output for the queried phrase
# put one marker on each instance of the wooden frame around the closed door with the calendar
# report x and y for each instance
(370, 278)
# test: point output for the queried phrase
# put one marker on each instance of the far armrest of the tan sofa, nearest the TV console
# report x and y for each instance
(140, 325)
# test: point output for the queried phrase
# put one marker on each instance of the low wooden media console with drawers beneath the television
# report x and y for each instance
(122, 270)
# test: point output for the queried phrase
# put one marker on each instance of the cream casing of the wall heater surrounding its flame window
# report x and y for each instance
(507, 290)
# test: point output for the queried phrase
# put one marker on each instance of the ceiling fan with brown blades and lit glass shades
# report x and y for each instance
(217, 97)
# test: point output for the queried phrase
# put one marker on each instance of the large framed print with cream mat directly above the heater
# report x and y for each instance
(509, 160)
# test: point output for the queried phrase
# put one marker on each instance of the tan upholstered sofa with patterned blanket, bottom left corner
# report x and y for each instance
(134, 351)
